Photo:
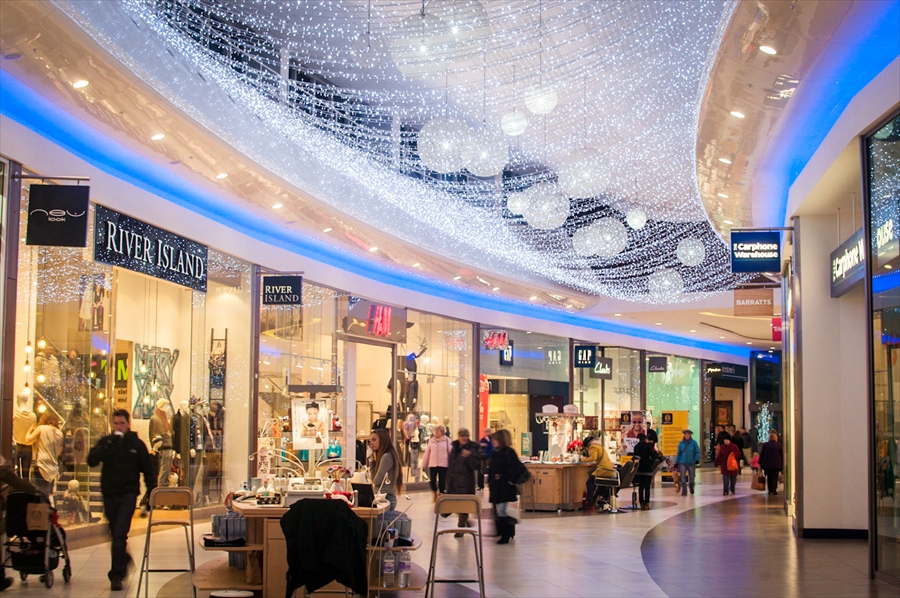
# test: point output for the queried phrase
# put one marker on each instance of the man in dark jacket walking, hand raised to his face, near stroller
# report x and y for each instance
(124, 457)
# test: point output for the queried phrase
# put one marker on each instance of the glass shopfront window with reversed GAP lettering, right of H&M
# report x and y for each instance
(531, 373)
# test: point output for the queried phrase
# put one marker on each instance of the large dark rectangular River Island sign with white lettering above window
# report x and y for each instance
(120, 240)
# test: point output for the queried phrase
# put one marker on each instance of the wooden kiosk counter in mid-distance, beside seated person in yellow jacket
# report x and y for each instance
(555, 486)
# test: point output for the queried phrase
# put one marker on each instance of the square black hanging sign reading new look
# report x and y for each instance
(57, 215)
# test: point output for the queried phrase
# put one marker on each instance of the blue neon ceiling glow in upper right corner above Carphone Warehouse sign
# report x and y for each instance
(869, 41)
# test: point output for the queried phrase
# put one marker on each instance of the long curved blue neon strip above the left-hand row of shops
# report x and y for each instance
(29, 108)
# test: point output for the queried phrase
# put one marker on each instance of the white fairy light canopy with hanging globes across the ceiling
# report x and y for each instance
(513, 136)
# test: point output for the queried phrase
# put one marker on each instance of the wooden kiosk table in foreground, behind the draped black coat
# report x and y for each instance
(264, 536)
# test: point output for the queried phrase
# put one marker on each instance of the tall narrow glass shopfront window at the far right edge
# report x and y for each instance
(883, 179)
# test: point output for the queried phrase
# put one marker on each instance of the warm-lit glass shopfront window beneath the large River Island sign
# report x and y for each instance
(95, 337)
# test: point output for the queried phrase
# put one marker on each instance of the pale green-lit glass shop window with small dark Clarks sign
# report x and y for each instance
(675, 389)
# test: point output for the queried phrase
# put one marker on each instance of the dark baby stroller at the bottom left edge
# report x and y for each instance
(35, 540)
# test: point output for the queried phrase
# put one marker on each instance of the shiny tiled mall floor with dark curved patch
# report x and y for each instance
(705, 545)
